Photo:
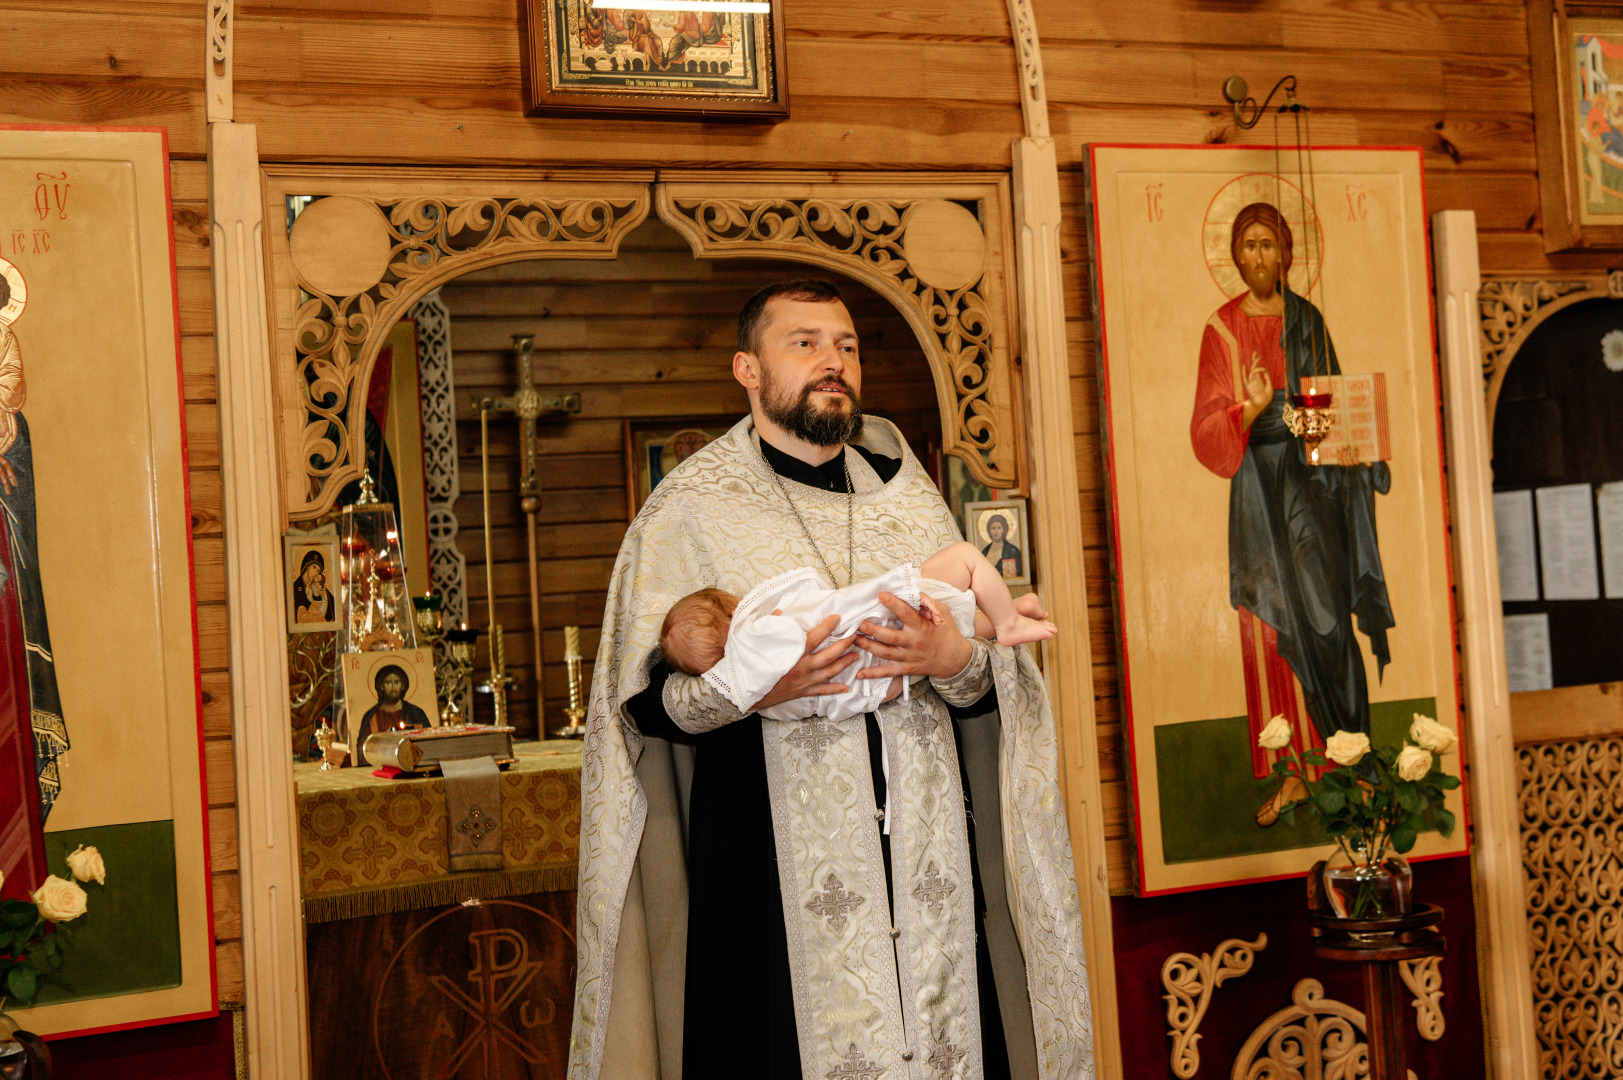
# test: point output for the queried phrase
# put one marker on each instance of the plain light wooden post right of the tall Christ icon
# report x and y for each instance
(1496, 795)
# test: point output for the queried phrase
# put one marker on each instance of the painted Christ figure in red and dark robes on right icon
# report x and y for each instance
(1304, 561)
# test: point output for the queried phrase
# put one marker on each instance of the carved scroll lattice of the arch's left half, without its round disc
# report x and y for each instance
(337, 339)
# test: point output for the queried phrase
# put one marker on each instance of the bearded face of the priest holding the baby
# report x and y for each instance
(809, 374)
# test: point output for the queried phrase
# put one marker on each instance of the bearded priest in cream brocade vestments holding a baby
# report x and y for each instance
(811, 899)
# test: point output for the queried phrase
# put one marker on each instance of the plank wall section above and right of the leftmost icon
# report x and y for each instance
(114, 63)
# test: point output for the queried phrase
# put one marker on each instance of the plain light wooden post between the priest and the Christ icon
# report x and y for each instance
(1057, 522)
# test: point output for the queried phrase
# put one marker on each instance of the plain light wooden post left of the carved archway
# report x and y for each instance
(252, 516)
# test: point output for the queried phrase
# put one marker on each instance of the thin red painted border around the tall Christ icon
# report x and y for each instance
(1116, 512)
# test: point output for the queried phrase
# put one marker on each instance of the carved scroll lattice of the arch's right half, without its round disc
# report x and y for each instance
(867, 240)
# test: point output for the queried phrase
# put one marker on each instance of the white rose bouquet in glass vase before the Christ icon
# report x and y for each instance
(1374, 806)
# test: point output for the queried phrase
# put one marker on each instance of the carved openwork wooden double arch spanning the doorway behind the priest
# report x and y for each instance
(366, 248)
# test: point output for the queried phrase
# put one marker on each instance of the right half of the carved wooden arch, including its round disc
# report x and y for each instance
(915, 243)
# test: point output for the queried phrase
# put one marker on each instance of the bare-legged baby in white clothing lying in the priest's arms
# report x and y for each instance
(744, 647)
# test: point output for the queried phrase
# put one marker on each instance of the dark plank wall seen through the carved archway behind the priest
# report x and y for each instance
(648, 335)
